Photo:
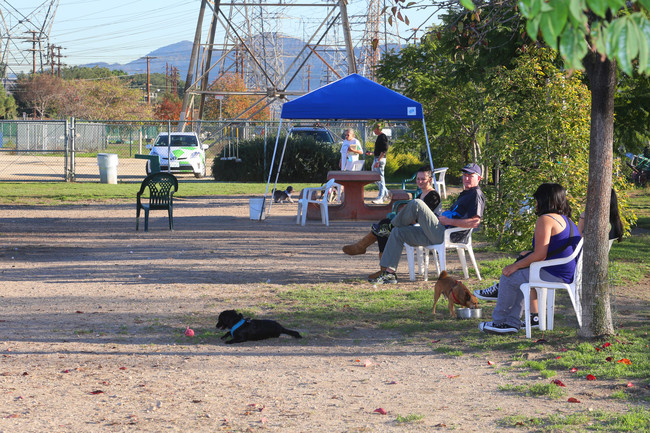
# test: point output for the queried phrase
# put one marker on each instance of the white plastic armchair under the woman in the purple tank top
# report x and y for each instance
(546, 291)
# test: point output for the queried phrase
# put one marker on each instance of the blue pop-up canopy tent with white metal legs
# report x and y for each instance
(350, 98)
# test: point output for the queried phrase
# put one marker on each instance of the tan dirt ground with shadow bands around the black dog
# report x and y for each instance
(92, 315)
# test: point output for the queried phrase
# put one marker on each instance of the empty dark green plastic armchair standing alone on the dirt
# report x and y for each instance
(162, 187)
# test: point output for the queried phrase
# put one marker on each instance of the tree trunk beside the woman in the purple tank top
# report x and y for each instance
(596, 311)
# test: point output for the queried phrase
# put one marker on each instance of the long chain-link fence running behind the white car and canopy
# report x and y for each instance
(66, 150)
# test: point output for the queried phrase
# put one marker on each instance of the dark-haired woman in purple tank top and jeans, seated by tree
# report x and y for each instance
(555, 236)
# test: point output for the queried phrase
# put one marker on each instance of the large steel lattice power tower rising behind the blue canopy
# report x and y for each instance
(276, 51)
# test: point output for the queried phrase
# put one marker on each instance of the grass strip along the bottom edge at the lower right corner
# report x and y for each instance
(637, 419)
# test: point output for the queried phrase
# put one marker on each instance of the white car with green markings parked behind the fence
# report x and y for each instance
(187, 153)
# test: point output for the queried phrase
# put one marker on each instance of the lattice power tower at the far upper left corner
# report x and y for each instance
(24, 37)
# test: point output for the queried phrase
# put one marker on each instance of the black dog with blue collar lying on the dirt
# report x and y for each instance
(250, 329)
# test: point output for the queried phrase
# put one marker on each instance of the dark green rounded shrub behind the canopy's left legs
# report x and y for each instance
(305, 160)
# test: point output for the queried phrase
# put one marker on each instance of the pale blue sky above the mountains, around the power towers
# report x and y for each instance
(120, 31)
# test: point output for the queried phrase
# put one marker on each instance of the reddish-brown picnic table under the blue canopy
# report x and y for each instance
(353, 205)
